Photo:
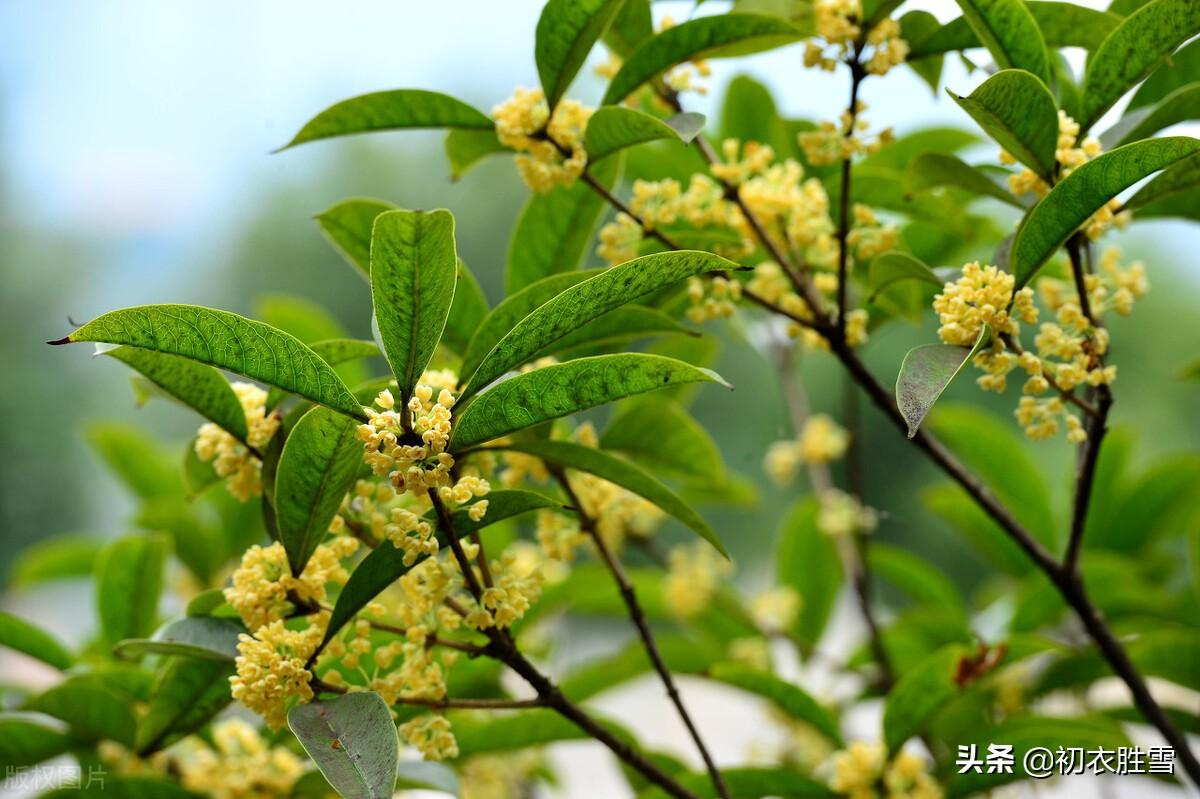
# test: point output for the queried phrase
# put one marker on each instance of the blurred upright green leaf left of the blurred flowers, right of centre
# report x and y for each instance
(807, 560)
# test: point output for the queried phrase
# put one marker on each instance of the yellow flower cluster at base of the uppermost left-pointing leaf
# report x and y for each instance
(550, 147)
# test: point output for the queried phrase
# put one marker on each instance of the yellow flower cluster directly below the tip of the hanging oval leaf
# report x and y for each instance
(263, 581)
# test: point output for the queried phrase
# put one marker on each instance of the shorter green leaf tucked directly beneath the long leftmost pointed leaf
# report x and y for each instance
(199, 387)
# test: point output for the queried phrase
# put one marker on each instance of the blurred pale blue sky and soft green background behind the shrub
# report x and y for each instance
(136, 167)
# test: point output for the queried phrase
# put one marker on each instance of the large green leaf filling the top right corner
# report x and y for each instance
(1133, 50)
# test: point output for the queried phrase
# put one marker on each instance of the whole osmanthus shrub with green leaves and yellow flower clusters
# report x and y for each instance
(392, 550)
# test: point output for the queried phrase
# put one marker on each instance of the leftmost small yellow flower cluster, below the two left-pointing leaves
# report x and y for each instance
(231, 459)
